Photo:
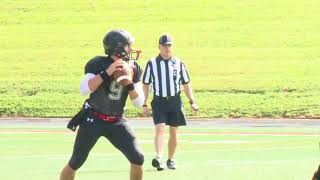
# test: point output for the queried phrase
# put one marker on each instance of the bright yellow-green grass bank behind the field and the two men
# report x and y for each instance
(246, 58)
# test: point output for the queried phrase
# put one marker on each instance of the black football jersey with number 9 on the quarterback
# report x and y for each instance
(110, 97)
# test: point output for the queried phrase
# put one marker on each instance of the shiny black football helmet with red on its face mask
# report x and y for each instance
(115, 41)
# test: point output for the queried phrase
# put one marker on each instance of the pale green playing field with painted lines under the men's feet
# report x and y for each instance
(36, 153)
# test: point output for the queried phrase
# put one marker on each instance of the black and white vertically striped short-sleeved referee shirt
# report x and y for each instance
(166, 76)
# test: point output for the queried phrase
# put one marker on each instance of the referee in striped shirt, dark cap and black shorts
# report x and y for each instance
(166, 73)
